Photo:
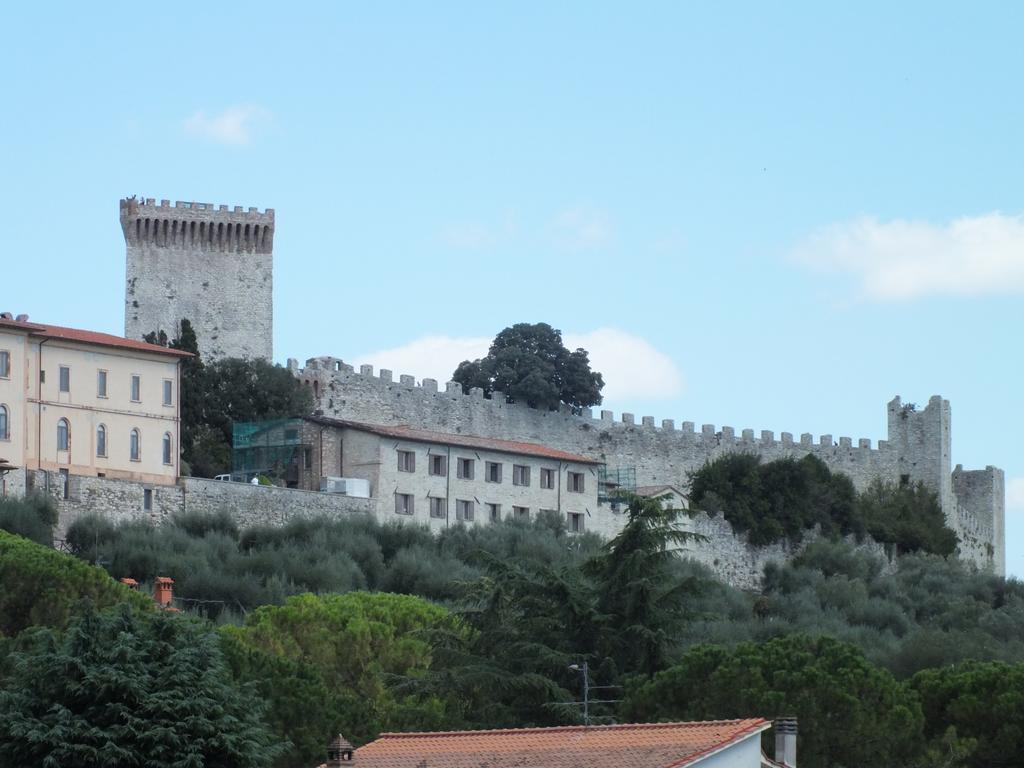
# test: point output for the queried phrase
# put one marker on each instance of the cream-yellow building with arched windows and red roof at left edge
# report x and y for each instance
(81, 403)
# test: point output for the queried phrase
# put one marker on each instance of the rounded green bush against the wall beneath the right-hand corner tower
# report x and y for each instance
(909, 517)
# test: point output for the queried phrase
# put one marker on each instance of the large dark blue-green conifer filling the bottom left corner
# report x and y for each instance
(129, 689)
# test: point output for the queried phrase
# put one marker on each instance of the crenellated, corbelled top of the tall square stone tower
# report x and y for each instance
(188, 226)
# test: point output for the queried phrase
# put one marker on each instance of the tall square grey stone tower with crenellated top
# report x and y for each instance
(209, 265)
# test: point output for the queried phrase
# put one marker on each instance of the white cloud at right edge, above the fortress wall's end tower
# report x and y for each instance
(900, 260)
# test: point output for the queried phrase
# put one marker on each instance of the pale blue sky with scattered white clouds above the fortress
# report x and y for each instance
(765, 218)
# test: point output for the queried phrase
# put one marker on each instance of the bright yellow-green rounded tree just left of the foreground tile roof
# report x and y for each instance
(349, 653)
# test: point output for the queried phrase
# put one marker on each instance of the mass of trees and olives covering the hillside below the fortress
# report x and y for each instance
(351, 625)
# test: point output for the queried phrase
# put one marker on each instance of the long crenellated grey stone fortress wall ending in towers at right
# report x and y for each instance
(918, 447)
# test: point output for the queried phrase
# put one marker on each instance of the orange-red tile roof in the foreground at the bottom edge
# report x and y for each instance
(644, 746)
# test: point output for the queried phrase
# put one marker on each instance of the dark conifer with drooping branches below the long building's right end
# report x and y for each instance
(639, 601)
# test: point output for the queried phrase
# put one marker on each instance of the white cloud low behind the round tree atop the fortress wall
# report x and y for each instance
(632, 367)
